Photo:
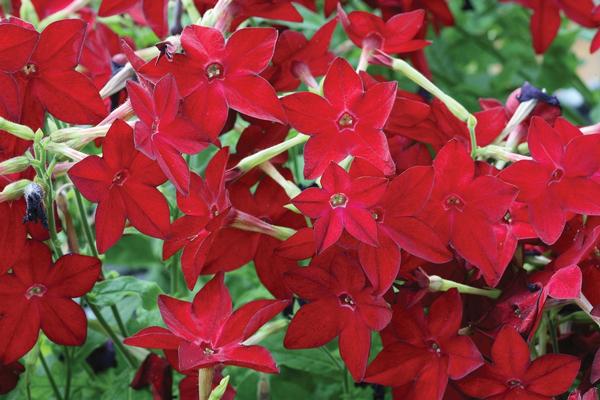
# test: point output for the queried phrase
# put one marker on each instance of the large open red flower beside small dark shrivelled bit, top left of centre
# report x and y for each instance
(218, 76)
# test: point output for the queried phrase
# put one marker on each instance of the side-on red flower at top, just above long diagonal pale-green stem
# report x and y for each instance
(396, 35)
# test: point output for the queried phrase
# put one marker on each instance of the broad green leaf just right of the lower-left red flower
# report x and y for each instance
(112, 291)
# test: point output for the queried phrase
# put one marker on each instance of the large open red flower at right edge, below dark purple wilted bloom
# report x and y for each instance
(559, 178)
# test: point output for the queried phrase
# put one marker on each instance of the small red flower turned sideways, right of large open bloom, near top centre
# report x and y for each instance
(297, 59)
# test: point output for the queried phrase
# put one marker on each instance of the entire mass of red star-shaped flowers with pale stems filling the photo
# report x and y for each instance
(448, 252)
